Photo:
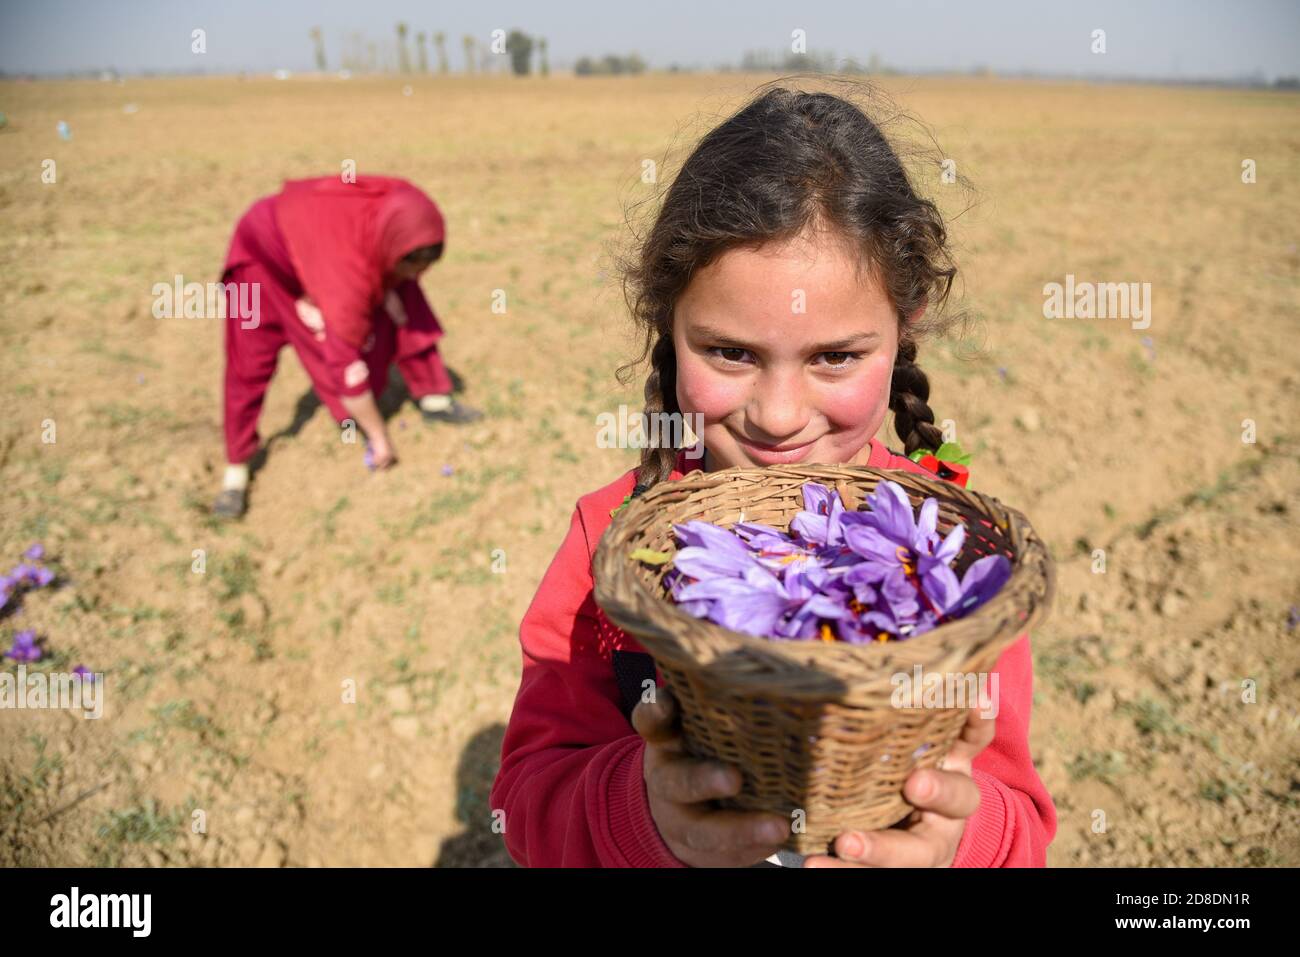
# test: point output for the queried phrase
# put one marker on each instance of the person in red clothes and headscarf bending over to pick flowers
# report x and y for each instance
(332, 269)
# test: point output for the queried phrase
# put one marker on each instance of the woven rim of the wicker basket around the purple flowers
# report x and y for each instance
(809, 651)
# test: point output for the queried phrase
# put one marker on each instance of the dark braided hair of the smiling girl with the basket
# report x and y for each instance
(786, 161)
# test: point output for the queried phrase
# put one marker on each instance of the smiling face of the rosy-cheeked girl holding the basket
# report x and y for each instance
(787, 354)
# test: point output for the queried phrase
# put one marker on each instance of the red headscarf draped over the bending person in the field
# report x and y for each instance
(345, 240)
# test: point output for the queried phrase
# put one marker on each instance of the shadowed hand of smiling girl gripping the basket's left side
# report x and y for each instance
(681, 789)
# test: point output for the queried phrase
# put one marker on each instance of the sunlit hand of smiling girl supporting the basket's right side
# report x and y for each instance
(930, 835)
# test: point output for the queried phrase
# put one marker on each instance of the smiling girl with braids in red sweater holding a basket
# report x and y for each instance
(798, 200)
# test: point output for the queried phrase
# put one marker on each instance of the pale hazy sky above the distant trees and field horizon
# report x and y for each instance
(1189, 40)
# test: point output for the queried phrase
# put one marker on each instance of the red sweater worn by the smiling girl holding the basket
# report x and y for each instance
(571, 783)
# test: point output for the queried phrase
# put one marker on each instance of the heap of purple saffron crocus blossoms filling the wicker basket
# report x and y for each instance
(856, 577)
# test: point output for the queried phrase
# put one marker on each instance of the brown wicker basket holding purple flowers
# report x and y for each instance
(811, 724)
